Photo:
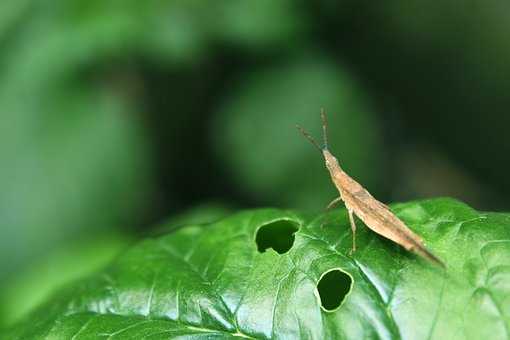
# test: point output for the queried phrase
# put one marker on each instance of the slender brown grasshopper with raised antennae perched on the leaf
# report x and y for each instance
(358, 201)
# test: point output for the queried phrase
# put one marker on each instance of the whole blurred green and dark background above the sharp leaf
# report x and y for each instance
(117, 116)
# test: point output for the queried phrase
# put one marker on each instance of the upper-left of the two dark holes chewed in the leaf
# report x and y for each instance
(278, 235)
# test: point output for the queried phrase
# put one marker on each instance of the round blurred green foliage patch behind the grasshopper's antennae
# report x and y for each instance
(261, 147)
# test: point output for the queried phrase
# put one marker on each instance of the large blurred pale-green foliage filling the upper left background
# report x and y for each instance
(74, 146)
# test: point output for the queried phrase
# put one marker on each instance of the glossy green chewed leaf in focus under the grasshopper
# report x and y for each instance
(213, 282)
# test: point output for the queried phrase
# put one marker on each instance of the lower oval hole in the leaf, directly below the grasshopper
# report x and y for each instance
(333, 287)
